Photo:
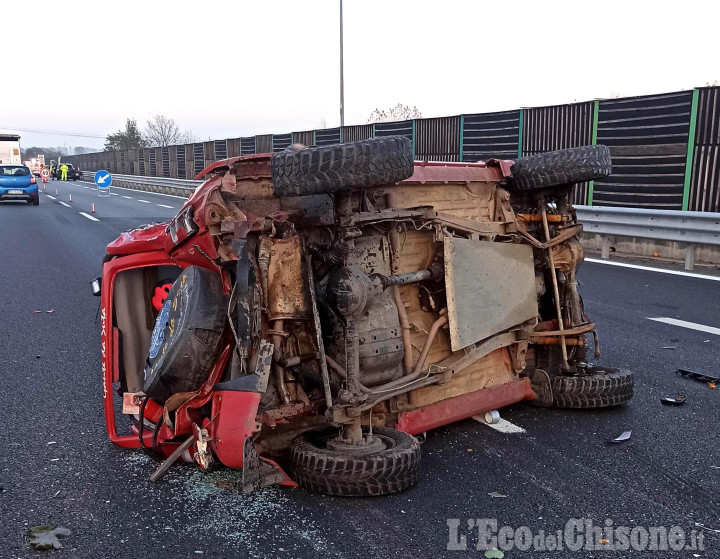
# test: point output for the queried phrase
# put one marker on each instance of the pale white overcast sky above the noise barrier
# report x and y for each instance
(240, 68)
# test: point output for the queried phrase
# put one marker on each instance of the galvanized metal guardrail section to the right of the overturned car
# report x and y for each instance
(692, 228)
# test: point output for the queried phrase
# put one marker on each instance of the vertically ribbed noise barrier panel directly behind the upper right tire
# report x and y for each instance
(559, 127)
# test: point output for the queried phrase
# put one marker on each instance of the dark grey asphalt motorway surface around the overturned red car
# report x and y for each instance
(59, 468)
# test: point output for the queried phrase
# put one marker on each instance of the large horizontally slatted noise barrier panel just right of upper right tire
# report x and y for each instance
(648, 138)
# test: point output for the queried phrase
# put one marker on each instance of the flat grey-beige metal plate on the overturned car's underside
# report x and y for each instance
(490, 288)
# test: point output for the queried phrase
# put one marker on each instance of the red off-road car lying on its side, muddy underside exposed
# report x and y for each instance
(307, 312)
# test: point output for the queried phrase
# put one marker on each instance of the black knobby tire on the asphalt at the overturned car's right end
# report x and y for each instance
(602, 388)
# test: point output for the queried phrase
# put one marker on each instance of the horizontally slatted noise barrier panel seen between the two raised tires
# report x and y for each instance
(490, 135)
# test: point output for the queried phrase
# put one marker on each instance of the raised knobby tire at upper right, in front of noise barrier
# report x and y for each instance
(562, 167)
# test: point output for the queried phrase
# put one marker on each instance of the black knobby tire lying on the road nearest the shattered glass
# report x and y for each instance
(321, 470)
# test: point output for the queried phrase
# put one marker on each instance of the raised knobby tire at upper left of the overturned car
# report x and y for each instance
(320, 170)
